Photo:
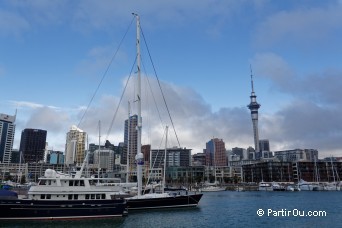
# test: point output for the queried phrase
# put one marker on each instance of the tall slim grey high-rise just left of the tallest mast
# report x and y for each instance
(130, 140)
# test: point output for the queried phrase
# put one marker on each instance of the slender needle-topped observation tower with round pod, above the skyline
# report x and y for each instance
(254, 106)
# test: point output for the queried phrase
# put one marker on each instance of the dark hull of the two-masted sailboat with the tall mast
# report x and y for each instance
(167, 202)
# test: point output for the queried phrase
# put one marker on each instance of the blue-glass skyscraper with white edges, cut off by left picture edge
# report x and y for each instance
(7, 130)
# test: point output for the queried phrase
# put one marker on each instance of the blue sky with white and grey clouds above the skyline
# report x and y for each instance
(65, 63)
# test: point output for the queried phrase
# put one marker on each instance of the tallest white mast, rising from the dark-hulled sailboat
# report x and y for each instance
(139, 157)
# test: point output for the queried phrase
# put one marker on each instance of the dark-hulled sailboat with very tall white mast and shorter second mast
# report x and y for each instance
(152, 200)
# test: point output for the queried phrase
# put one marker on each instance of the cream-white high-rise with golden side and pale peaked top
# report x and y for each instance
(75, 146)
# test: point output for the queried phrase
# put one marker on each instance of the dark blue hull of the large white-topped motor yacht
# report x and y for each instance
(24, 209)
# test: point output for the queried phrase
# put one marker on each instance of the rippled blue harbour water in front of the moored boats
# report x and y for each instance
(229, 209)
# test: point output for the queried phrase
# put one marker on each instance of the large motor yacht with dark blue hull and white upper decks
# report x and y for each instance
(59, 197)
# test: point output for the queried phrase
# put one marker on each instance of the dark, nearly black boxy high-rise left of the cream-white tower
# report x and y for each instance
(33, 144)
